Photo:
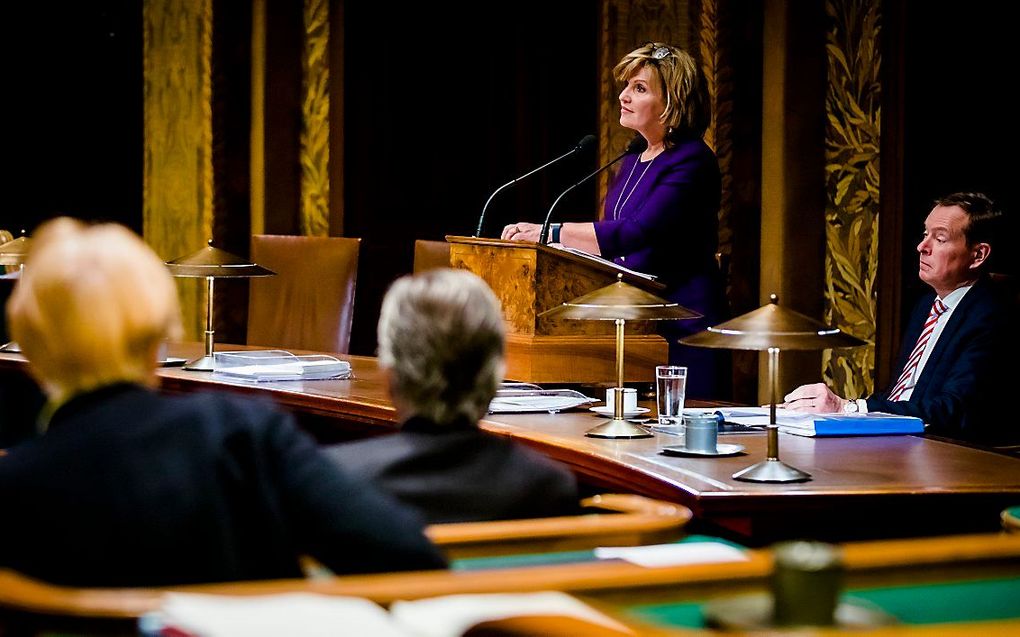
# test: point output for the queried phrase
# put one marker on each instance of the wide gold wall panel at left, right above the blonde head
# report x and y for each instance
(178, 150)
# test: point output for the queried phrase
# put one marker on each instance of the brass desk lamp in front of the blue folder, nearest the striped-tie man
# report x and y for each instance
(772, 329)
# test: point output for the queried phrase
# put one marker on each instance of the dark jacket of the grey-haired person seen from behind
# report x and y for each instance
(458, 473)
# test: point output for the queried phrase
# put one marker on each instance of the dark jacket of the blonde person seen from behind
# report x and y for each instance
(129, 488)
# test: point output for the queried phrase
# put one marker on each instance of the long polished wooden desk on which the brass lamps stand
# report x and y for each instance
(862, 488)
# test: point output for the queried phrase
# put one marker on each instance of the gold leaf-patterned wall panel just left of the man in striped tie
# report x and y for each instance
(852, 143)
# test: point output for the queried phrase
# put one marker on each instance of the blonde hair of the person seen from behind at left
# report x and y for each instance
(91, 307)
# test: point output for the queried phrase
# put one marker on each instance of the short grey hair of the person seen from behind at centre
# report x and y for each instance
(441, 336)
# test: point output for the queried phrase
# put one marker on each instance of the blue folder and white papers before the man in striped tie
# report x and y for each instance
(806, 424)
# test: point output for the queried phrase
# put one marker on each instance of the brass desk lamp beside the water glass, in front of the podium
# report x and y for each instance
(620, 302)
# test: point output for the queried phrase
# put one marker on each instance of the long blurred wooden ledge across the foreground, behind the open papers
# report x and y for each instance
(605, 585)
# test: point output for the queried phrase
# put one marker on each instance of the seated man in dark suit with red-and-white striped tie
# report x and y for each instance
(959, 349)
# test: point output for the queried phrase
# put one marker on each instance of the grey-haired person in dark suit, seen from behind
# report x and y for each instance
(441, 342)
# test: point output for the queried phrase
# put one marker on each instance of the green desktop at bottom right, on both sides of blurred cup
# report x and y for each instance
(928, 604)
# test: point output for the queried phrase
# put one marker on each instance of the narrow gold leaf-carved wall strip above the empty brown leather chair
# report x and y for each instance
(316, 121)
